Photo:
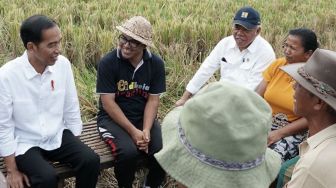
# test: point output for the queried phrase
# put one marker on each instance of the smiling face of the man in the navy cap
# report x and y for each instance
(243, 36)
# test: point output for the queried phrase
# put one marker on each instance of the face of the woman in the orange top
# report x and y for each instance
(294, 50)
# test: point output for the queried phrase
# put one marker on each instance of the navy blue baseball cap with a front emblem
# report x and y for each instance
(247, 17)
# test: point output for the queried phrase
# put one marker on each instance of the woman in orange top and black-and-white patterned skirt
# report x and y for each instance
(287, 130)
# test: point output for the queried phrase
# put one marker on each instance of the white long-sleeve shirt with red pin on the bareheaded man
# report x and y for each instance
(36, 108)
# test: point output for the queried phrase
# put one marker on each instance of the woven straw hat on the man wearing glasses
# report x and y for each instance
(139, 29)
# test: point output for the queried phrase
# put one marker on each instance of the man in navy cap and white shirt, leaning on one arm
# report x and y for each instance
(241, 57)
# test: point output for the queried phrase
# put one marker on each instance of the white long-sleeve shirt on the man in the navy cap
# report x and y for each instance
(240, 67)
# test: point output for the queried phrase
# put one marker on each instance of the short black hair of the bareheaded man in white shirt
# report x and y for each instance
(31, 28)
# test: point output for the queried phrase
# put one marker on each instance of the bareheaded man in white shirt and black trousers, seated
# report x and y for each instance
(39, 112)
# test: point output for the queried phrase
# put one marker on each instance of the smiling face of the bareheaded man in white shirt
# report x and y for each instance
(46, 52)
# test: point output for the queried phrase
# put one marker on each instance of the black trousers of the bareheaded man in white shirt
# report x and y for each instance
(86, 163)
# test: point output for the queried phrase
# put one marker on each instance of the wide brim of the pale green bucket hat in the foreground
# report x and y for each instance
(188, 170)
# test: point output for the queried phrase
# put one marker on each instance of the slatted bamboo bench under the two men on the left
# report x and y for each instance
(89, 136)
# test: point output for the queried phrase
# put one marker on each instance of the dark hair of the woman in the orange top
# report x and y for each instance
(308, 38)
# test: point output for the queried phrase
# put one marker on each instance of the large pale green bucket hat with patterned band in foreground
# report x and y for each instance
(218, 139)
